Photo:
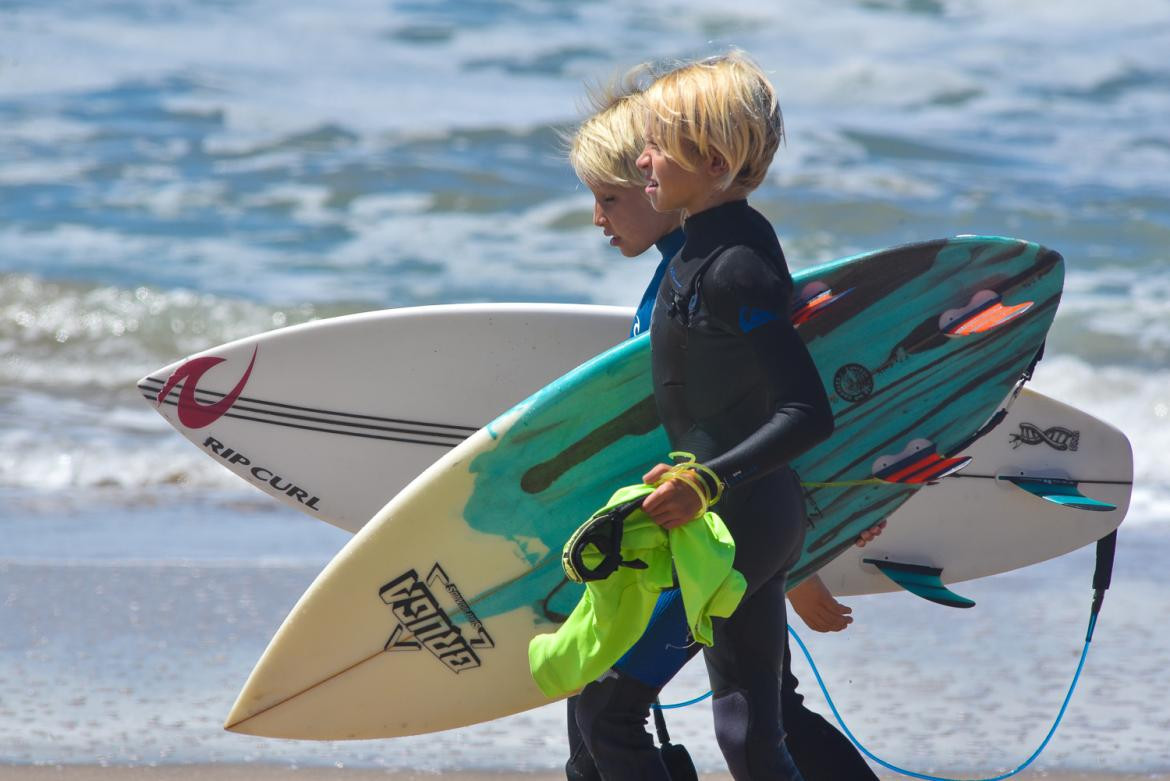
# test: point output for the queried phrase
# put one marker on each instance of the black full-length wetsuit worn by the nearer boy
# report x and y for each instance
(737, 386)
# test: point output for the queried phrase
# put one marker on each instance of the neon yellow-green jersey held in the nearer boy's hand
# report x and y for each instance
(614, 613)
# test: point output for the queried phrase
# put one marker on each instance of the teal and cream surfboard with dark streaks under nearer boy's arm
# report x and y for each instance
(473, 545)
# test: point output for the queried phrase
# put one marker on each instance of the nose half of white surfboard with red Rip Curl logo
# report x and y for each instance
(335, 417)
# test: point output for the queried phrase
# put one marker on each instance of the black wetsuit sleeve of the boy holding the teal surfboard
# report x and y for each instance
(749, 299)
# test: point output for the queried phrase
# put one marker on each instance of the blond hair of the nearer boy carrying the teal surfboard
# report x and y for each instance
(721, 106)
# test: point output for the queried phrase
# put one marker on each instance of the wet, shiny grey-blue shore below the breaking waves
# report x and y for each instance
(67, 711)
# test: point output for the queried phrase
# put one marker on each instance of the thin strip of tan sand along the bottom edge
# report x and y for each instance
(297, 773)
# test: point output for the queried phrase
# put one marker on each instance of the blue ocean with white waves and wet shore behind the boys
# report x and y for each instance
(178, 175)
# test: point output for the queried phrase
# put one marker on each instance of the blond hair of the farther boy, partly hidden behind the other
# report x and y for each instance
(604, 150)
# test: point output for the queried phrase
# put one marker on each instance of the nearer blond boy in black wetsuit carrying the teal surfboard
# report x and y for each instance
(735, 386)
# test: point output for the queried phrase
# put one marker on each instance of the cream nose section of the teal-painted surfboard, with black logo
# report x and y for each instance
(329, 674)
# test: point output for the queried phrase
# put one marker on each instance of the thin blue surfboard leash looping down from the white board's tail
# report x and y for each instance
(1103, 577)
